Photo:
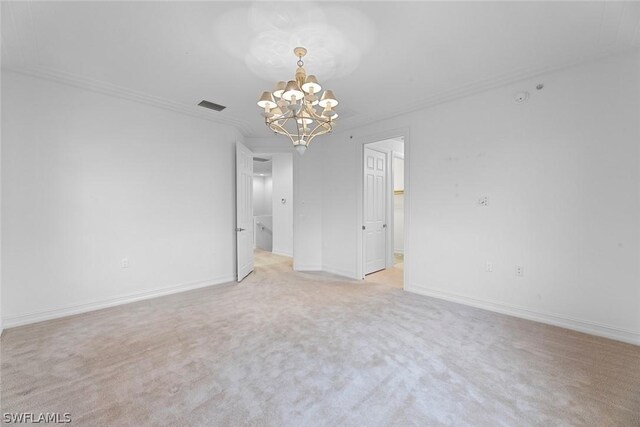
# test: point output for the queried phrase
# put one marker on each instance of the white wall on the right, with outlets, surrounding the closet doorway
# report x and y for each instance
(562, 174)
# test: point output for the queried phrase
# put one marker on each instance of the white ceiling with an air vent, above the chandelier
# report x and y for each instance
(385, 57)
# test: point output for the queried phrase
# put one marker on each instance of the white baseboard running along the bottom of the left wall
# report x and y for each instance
(25, 319)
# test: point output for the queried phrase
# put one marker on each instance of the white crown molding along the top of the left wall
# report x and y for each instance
(110, 89)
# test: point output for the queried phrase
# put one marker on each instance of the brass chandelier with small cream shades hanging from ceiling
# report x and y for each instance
(299, 113)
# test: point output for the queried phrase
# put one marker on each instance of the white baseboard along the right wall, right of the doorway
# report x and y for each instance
(588, 327)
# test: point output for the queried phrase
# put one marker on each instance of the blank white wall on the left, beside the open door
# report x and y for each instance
(89, 179)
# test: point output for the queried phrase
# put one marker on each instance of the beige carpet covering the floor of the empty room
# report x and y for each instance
(286, 348)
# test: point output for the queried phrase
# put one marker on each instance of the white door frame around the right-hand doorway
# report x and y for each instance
(361, 142)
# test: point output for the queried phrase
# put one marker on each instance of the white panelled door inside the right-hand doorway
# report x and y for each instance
(375, 232)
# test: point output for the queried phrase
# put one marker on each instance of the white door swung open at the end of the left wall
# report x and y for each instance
(244, 210)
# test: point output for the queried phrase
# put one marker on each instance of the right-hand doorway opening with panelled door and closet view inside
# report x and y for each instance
(383, 207)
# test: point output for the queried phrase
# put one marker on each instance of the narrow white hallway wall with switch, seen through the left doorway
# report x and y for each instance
(282, 171)
